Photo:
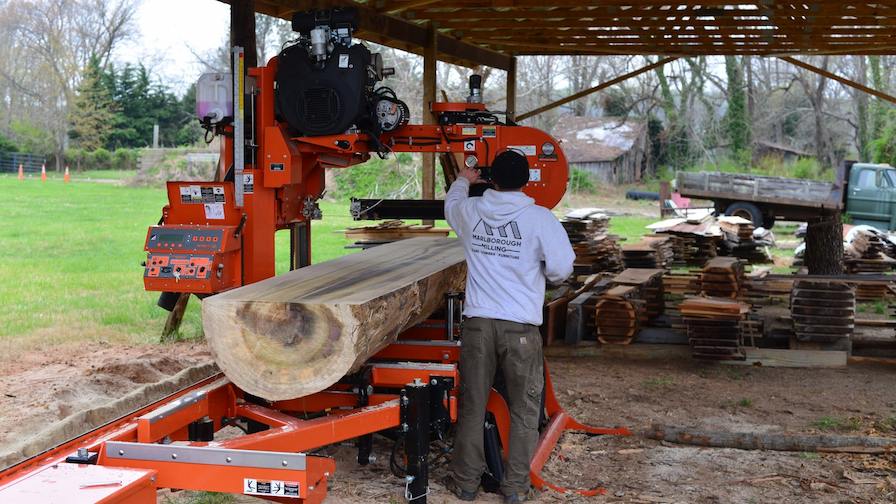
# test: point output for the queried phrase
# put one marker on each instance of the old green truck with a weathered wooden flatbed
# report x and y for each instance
(867, 192)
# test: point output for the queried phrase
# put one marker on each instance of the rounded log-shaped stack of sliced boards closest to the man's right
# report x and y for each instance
(618, 315)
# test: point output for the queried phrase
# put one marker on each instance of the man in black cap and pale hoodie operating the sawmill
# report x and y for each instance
(511, 245)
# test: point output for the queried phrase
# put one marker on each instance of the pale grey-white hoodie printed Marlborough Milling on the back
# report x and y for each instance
(511, 245)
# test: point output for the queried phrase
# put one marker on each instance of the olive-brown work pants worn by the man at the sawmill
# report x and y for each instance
(516, 349)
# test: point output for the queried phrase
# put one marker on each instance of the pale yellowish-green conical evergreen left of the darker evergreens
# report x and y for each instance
(92, 112)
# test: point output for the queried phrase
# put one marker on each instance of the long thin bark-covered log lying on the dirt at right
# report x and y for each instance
(771, 441)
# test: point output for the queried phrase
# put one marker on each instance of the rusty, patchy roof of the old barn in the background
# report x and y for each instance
(597, 139)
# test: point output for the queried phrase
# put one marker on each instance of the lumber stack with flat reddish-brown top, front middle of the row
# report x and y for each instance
(714, 327)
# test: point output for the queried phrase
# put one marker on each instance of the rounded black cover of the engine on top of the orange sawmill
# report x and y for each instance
(327, 100)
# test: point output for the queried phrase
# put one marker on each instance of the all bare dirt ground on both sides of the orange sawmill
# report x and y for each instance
(596, 390)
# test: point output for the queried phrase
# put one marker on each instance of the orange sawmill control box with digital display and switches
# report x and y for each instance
(198, 259)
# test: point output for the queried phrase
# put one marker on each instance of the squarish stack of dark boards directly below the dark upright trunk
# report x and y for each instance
(823, 311)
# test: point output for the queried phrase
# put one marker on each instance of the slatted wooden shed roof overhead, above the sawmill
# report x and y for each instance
(495, 28)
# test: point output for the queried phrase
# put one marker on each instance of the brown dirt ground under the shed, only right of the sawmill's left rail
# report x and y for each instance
(609, 392)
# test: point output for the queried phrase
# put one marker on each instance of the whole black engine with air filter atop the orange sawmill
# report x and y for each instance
(327, 86)
